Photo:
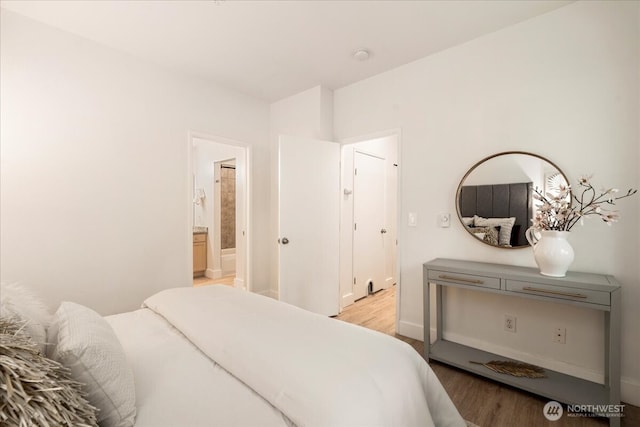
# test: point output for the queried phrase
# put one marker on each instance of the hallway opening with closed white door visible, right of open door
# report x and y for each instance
(369, 216)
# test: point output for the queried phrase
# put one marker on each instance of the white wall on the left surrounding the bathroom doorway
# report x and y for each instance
(95, 200)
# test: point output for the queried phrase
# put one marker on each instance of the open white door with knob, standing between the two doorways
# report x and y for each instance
(308, 224)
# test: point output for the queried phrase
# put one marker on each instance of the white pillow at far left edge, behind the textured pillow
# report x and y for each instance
(18, 301)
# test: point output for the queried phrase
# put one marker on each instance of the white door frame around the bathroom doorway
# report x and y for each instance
(247, 283)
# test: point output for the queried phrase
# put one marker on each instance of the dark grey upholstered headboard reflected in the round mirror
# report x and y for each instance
(500, 201)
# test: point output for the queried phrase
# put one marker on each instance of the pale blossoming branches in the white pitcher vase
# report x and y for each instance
(556, 212)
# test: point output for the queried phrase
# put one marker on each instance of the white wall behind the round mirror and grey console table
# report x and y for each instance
(563, 85)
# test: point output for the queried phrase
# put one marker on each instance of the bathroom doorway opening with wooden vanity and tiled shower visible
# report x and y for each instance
(220, 212)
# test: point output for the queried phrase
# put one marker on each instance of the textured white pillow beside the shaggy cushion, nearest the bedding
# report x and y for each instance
(85, 343)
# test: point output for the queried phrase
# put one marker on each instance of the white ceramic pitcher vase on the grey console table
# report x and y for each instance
(551, 250)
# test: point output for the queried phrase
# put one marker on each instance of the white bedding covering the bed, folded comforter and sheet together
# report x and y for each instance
(274, 364)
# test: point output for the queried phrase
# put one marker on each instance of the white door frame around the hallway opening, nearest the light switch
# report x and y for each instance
(346, 271)
